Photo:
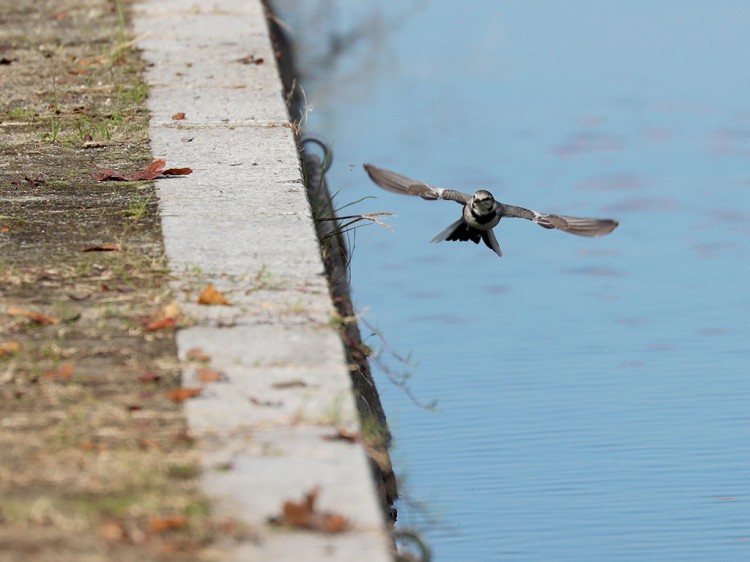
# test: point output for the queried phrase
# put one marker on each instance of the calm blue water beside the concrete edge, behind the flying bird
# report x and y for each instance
(592, 394)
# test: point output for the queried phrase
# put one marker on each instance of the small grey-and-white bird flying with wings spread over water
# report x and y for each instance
(482, 212)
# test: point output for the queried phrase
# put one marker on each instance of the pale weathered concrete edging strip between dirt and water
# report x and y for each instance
(242, 222)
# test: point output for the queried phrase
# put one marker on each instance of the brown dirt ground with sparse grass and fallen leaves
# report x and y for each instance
(95, 460)
